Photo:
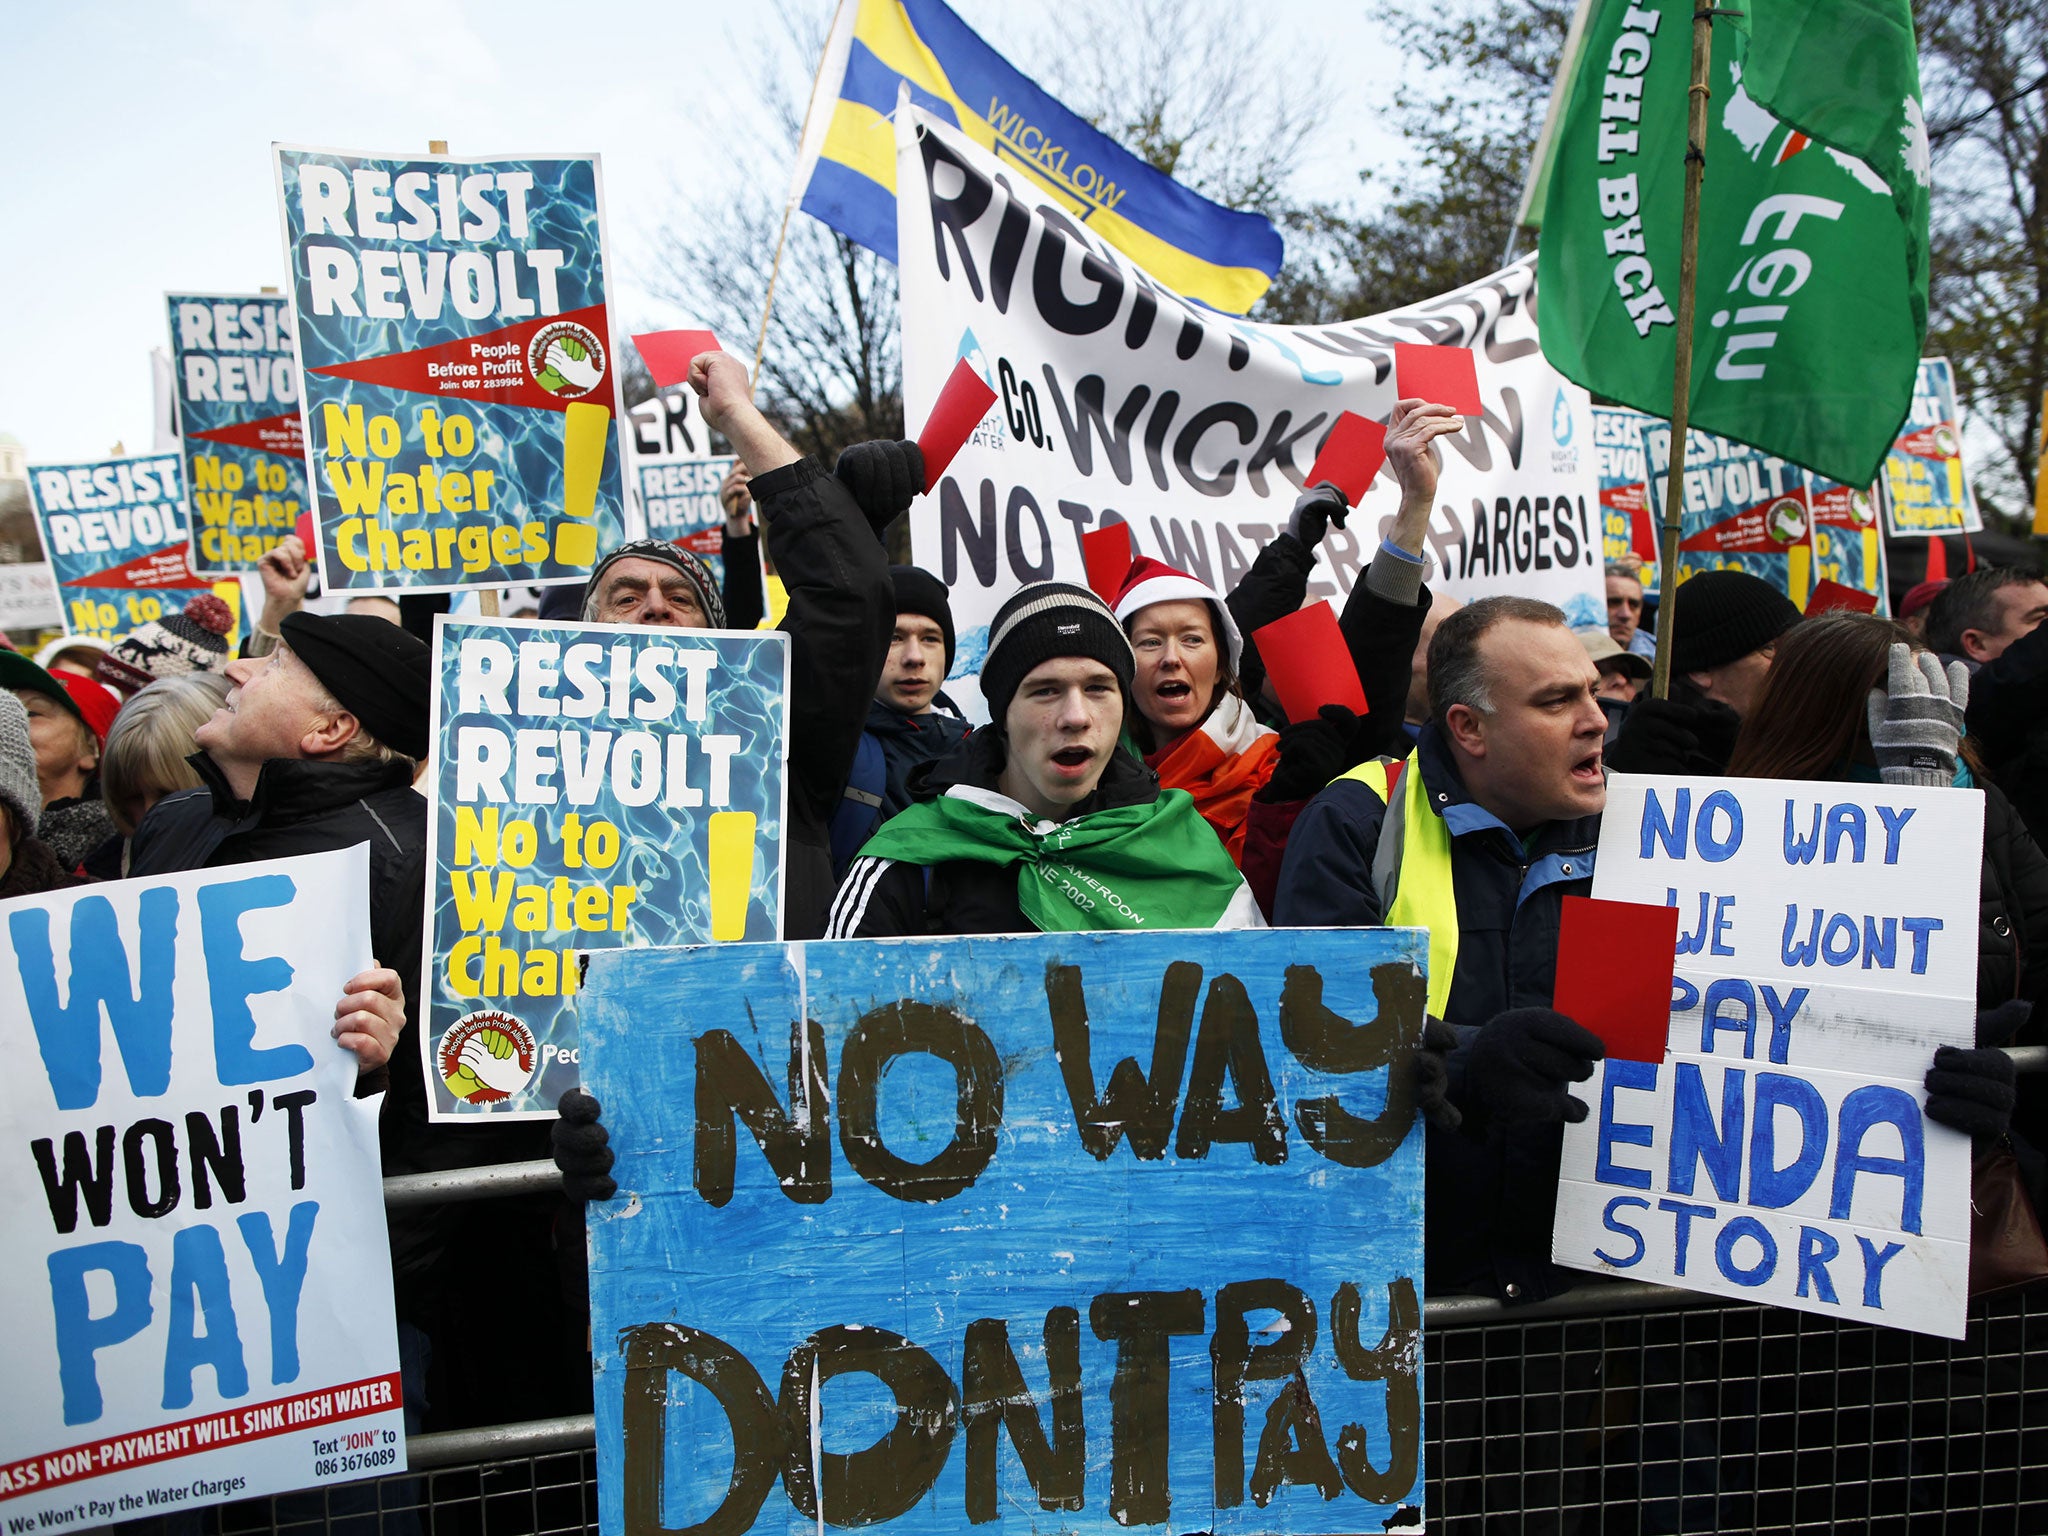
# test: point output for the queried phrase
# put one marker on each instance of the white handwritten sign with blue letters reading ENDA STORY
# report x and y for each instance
(1779, 1150)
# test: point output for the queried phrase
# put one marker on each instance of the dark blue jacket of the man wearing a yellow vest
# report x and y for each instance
(1490, 1199)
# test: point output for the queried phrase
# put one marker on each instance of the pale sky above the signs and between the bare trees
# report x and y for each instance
(136, 138)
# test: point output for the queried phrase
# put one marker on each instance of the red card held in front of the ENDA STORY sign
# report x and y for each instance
(1615, 964)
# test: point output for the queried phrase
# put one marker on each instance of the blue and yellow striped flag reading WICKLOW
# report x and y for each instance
(847, 169)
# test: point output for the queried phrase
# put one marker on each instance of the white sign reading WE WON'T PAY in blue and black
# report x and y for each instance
(198, 1277)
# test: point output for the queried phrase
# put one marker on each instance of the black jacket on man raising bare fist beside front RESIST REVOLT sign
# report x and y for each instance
(839, 624)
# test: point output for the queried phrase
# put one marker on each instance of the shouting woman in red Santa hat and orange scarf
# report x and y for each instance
(1193, 724)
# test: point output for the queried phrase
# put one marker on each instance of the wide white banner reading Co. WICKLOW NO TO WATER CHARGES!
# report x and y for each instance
(1123, 402)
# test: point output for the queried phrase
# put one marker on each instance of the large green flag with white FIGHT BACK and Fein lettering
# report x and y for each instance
(1814, 224)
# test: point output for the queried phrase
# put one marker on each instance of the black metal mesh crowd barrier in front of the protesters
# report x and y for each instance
(1613, 1408)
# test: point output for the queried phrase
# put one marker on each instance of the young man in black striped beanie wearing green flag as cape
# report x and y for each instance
(1041, 822)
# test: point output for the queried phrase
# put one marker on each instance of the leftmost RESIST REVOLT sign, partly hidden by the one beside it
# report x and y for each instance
(118, 540)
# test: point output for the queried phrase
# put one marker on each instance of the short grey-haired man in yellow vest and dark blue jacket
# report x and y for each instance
(1480, 837)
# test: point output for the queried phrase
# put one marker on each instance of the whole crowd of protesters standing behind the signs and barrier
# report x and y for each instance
(1144, 732)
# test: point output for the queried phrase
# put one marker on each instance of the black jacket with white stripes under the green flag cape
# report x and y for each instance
(888, 900)
